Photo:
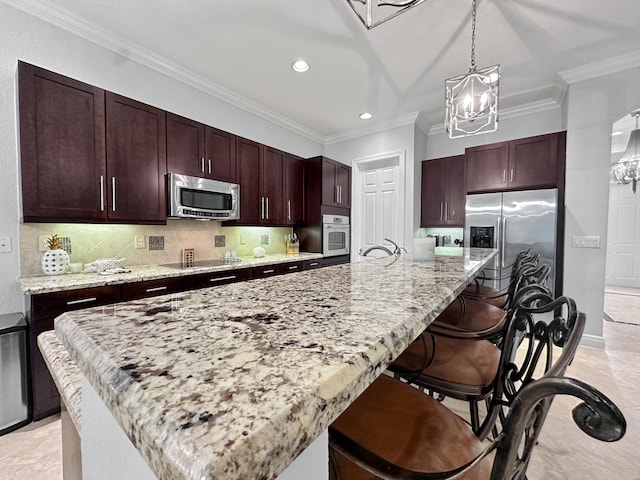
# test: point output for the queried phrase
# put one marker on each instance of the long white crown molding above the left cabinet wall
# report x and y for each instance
(70, 22)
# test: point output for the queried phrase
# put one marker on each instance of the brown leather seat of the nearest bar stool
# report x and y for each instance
(408, 428)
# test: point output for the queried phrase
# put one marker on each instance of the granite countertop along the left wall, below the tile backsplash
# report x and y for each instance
(37, 284)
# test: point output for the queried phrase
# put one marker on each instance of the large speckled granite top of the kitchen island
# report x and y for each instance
(233, 382)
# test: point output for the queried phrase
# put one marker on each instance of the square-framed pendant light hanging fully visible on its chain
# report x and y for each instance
(471, 100)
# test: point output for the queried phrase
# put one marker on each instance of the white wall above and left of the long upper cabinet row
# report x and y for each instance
(26, 38)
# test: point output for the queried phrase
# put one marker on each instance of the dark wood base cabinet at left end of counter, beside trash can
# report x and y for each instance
(42, 311)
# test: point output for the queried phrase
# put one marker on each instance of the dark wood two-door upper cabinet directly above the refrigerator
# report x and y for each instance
(533, 162)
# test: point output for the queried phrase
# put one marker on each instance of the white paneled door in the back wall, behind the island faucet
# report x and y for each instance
(378, 212)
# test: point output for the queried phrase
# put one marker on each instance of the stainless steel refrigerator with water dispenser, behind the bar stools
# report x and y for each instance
(515, 221)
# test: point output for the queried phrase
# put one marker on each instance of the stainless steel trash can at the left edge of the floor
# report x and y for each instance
(15, 410)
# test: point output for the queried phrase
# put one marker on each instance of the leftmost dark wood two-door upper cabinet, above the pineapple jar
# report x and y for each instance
(88, 155)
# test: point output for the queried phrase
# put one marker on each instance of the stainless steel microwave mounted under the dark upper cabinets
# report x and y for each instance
(202, 198)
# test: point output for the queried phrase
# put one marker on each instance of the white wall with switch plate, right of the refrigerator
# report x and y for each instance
(593, 106)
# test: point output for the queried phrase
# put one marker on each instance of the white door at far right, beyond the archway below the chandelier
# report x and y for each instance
(623, 237)
